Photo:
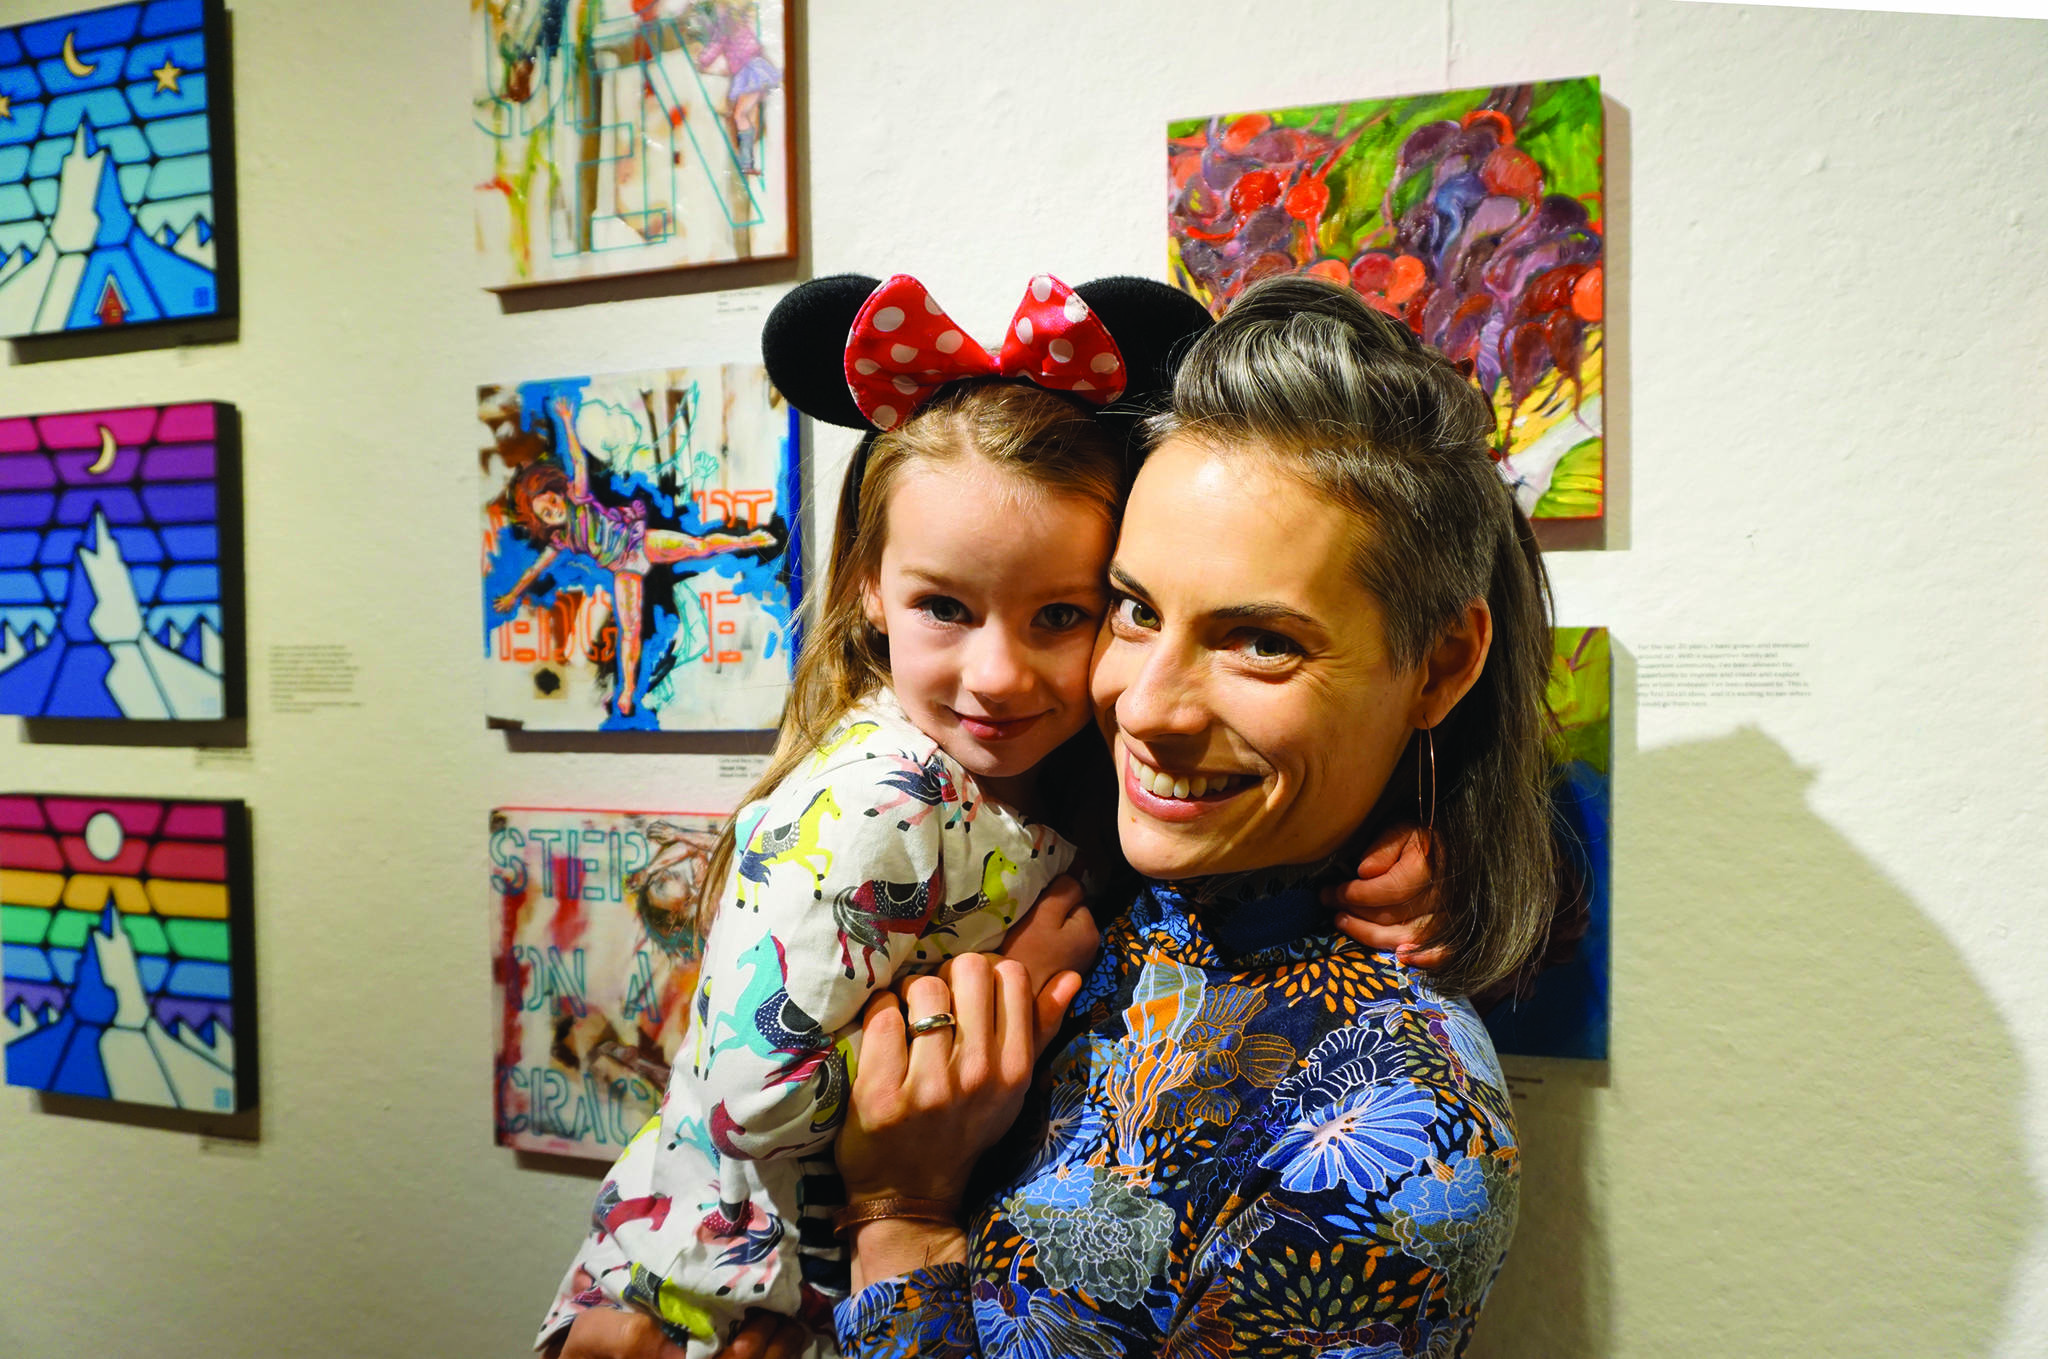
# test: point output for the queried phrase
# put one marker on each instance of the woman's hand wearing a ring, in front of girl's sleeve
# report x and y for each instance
(927, 1106)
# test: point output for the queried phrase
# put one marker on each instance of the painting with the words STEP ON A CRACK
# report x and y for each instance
(593, 965)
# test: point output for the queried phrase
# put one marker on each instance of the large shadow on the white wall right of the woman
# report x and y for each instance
(1809, 1139)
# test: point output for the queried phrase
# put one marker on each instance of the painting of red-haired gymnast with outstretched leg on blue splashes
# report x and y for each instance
(640, 552)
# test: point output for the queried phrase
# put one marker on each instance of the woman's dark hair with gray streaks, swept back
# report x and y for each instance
(1357, 406)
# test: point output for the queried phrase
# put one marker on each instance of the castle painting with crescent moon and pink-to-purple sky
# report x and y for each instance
(122, 566)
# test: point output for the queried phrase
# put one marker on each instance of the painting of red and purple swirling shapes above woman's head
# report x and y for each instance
(1474, 216)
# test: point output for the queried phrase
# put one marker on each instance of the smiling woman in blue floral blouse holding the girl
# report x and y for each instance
(1258, 1137)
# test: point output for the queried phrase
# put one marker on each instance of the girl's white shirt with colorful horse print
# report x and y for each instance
(873, 861)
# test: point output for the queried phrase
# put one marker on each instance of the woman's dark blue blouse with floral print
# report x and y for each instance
(1263, 1139)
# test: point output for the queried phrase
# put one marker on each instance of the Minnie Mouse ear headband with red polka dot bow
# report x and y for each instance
(865, 355)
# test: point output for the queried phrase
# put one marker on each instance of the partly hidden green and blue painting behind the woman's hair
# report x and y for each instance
(1568, 1012)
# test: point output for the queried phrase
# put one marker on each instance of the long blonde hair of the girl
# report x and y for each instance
(1043, 439)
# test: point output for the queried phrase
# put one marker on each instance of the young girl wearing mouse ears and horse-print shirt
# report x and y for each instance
(898, 820)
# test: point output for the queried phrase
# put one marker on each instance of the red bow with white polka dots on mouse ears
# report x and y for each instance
(902, 349)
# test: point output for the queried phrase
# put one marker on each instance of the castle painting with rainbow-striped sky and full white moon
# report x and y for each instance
(128, 949)
